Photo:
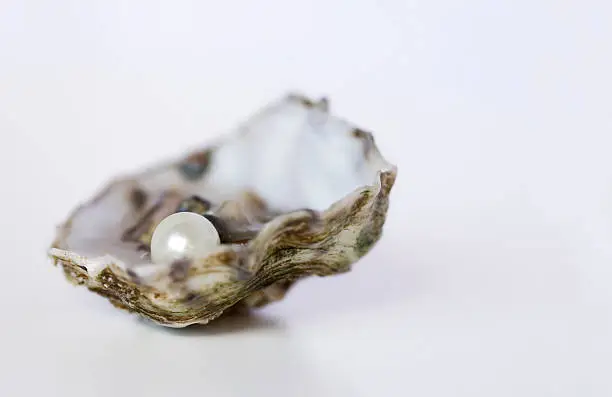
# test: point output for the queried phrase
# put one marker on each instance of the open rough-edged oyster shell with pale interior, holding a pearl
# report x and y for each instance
(293, 192)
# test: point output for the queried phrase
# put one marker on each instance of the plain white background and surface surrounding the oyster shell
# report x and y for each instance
(494, 276)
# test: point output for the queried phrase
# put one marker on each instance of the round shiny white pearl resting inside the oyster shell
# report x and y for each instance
(184, 235)
